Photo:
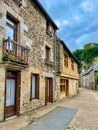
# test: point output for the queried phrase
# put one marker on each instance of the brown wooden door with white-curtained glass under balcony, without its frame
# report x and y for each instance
(10, 105)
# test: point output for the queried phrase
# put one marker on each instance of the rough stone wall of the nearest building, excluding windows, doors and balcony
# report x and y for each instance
(31, 33)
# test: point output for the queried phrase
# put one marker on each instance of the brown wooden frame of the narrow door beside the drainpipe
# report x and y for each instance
(50, 91)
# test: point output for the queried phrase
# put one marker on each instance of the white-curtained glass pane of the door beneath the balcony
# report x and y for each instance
(10, 92)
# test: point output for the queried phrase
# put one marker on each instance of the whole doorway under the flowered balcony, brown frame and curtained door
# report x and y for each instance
(12, 93)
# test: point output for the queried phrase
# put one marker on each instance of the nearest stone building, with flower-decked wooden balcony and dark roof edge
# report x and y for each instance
(27, 36)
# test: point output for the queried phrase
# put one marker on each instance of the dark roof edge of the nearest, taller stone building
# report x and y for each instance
(41, 8)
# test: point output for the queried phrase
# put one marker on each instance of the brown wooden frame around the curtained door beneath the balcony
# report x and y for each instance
(18, 86)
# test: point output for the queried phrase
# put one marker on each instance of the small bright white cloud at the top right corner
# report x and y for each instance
(87, 6)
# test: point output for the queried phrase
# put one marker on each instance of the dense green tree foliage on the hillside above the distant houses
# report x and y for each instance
(87, 54)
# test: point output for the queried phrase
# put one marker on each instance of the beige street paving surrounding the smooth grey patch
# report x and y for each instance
(86, 117)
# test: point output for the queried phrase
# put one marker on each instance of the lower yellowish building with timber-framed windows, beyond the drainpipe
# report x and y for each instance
(67, 71)
